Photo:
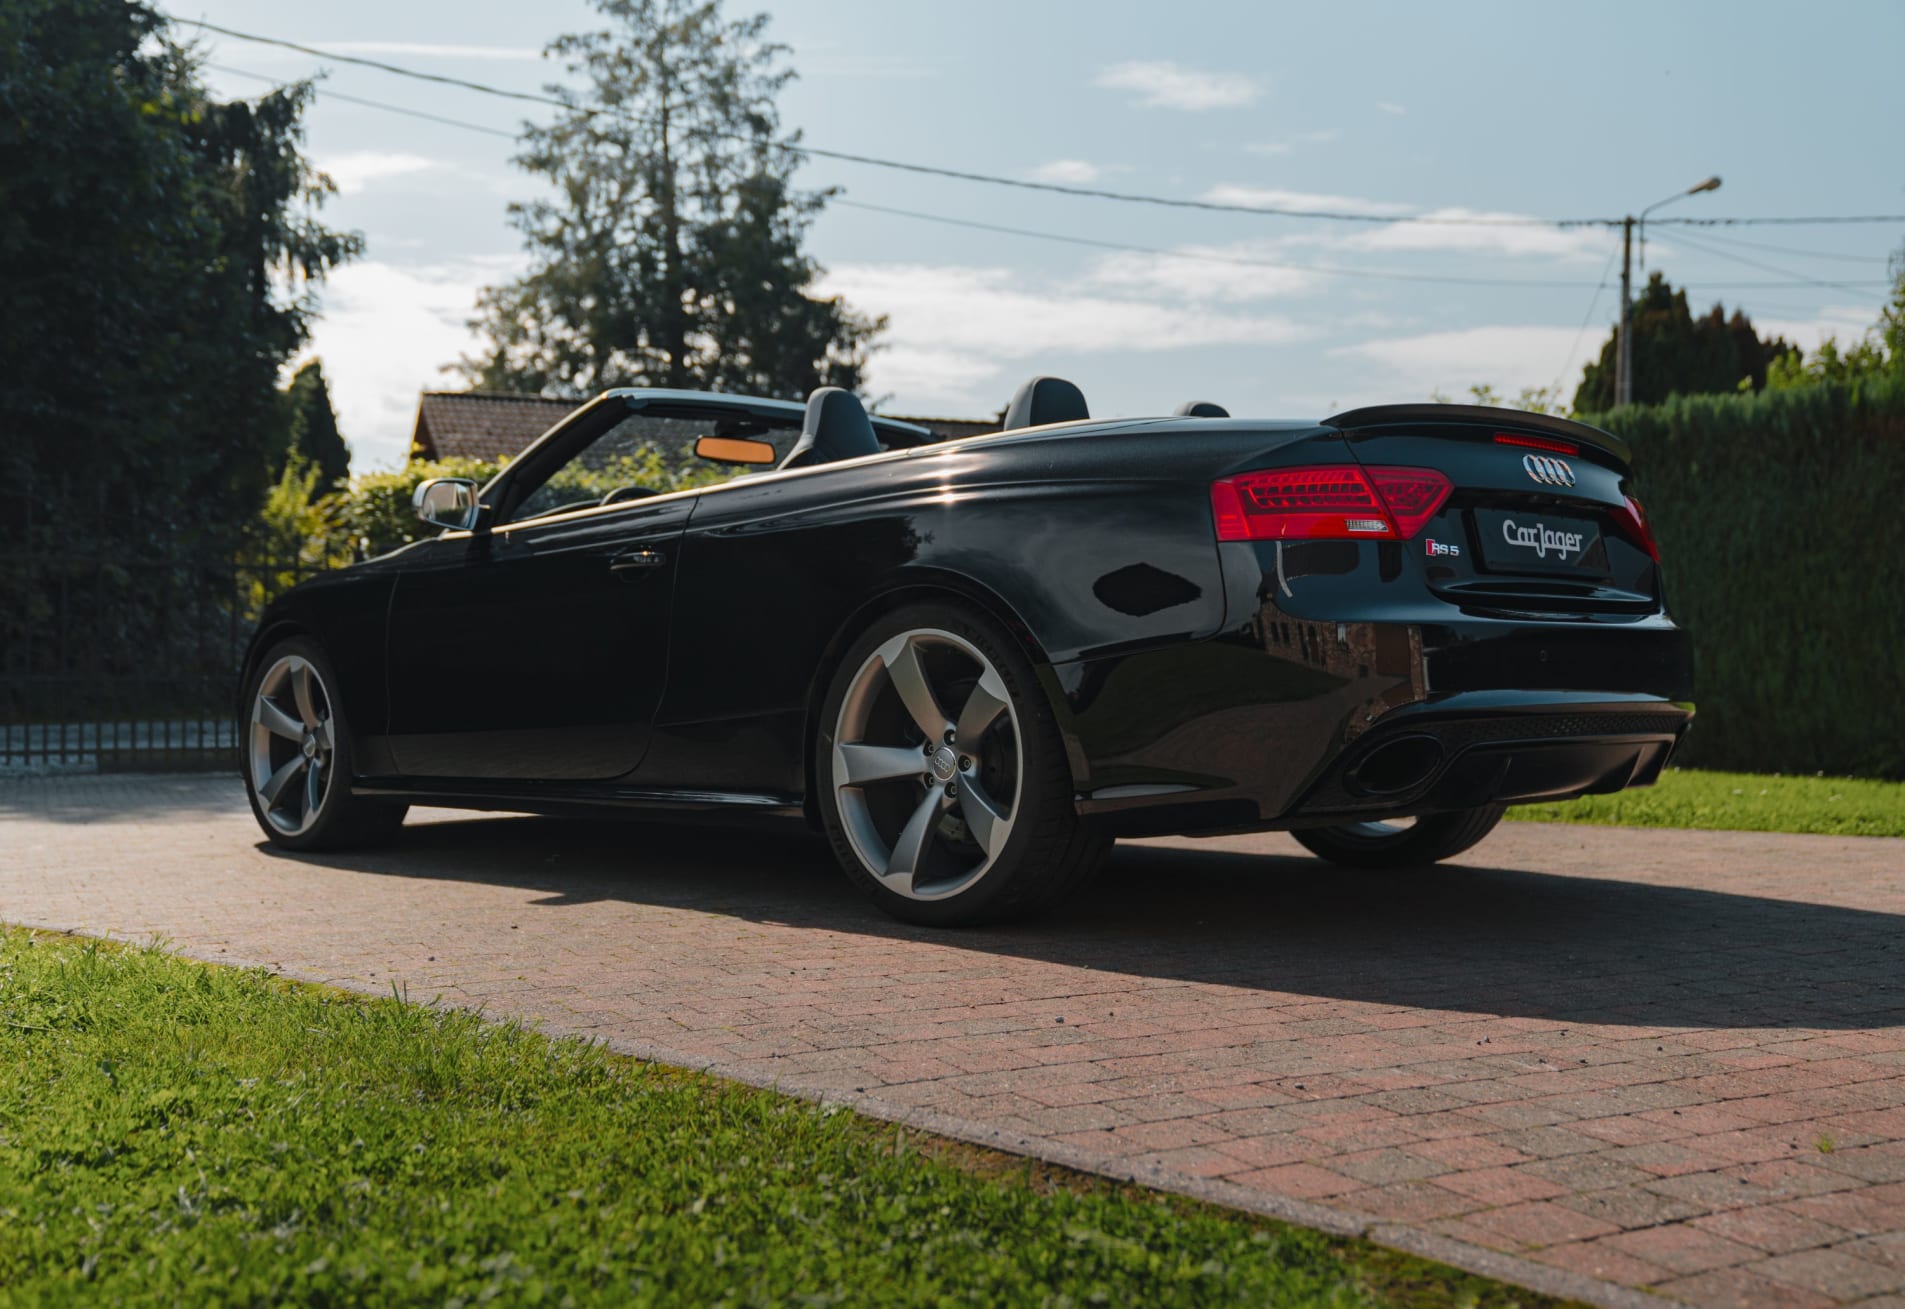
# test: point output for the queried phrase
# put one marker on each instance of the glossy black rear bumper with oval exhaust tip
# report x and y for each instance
(1293, 723)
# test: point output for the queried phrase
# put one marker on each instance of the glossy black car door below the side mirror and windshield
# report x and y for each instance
(536, 651)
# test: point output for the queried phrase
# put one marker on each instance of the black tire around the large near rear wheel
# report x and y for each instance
(1047, 853)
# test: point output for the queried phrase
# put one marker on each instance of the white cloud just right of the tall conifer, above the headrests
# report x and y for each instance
(957, 334)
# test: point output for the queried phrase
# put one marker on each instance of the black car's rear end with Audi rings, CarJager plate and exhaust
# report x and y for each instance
(1479, 599)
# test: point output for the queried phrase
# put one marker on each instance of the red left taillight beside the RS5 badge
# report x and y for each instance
(1333, 504)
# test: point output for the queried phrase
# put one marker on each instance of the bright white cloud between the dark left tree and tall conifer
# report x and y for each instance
(386, 334)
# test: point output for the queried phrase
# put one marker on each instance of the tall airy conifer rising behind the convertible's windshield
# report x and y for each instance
(672, 254)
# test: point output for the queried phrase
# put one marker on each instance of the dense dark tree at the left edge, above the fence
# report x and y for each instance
(157, 256)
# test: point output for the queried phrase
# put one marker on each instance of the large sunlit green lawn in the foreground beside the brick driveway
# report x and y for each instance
(174, 1133)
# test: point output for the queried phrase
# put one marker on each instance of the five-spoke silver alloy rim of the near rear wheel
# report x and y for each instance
(965, 773)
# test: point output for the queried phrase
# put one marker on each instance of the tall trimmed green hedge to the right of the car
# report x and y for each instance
(1782, 527)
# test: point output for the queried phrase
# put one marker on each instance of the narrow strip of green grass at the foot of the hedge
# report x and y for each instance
(1754, 803)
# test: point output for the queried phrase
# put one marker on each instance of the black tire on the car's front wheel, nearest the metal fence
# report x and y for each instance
(342, 820)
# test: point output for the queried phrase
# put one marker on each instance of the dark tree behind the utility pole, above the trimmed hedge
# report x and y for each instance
(1681, 355)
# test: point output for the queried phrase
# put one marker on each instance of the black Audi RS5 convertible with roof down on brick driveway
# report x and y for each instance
(976, 662)
